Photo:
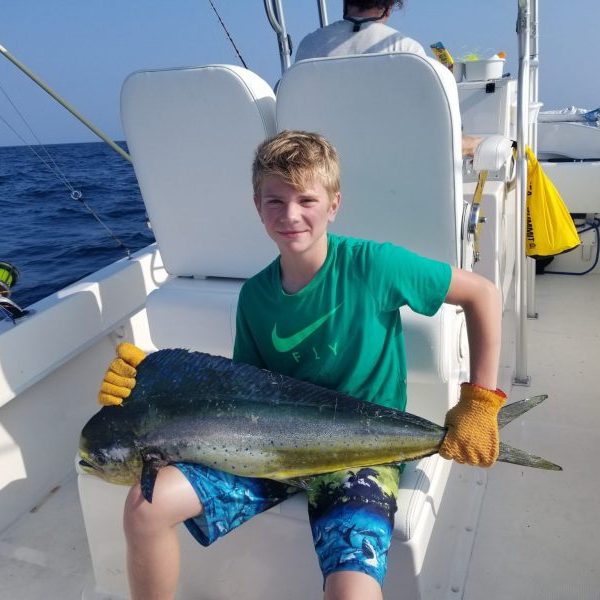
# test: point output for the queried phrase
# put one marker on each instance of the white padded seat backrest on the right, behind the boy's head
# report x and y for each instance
(394, 119)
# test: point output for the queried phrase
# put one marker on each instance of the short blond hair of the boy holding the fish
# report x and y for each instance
(298, 157)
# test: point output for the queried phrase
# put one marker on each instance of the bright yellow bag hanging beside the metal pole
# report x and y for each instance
(550, 228)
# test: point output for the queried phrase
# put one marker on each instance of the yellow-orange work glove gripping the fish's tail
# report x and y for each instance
(472, 424)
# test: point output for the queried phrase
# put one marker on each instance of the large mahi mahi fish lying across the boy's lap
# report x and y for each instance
(194, 407)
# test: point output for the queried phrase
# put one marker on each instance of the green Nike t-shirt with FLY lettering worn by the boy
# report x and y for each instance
(343, 330)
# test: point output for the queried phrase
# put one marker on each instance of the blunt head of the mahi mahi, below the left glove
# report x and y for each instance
(108, 449)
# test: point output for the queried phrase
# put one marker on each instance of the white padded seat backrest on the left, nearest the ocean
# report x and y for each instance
(192, 133)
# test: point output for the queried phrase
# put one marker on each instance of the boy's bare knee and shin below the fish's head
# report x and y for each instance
(151, 533)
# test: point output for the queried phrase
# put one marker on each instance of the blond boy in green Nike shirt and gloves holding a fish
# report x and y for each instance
(326, 310)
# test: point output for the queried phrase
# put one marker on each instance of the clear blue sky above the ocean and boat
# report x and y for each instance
(85, 48)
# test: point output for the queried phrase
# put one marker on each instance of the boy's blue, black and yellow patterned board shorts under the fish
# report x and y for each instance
(351, 513)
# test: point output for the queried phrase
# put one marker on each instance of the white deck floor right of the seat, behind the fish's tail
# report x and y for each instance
(539, 532)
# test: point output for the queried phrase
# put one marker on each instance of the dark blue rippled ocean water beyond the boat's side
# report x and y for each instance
(51, 238)
